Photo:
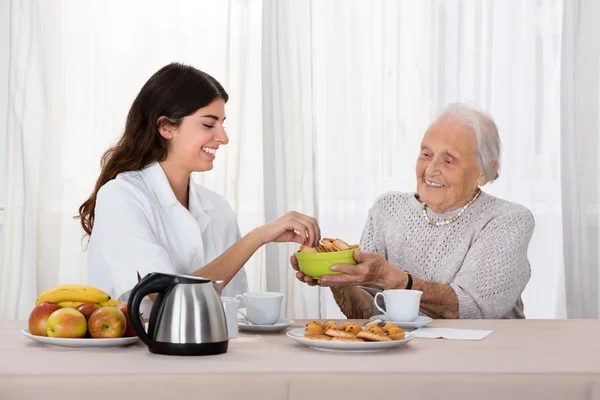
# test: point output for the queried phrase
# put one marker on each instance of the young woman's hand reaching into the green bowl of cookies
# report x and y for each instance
(292, 227)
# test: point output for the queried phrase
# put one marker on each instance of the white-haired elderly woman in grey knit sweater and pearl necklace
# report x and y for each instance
(464, 249)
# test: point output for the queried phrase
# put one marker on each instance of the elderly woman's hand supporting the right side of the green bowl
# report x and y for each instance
(371, 269)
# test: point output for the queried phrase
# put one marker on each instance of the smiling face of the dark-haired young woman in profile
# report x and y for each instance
(194, 143)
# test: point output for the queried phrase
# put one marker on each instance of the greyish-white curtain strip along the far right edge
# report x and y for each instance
(580, 149)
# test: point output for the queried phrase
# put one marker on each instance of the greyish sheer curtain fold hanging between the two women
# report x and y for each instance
(289, 141)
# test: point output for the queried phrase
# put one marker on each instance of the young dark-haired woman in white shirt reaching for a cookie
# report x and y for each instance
(146, 214)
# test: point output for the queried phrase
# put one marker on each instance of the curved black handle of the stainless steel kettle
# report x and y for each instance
(154, 282)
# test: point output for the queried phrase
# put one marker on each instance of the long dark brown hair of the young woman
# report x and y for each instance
(175, 91)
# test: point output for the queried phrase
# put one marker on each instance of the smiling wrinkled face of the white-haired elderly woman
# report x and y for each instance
(447, 171)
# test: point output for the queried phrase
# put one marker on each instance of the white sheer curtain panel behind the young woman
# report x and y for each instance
(75, 69)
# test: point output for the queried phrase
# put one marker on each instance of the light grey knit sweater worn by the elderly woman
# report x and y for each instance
(483, 255)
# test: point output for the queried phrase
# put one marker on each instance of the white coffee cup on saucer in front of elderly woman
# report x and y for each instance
(401, 305)
